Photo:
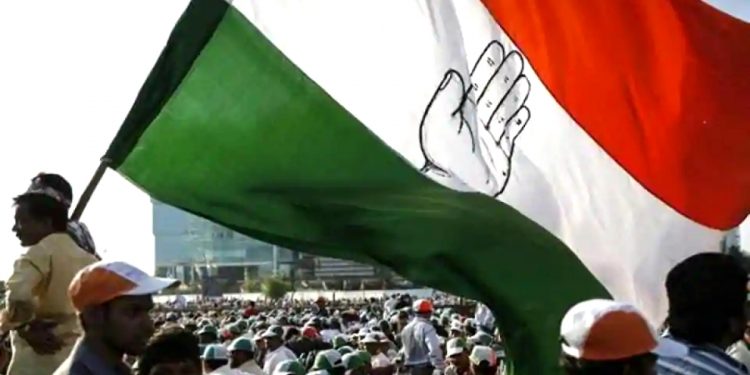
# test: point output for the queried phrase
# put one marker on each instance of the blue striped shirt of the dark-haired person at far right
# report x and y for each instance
(695, 360)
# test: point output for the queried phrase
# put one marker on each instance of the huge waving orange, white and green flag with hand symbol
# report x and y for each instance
(529, 154)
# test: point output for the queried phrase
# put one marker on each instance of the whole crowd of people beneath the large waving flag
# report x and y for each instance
(69, 313)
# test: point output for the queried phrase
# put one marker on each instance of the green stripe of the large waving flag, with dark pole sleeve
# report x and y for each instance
(226, 127)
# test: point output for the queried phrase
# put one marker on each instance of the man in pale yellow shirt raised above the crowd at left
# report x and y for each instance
(39, 314)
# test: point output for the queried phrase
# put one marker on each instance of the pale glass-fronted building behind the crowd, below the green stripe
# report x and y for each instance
(193, 249)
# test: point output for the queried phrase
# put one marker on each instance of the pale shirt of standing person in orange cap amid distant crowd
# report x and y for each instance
(421, 344)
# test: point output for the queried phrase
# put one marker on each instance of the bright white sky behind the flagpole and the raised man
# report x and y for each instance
(69, 72)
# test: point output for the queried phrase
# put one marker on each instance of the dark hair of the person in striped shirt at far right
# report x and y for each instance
(705, 292)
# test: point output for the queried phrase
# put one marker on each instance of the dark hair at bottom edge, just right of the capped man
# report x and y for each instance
(169, 345)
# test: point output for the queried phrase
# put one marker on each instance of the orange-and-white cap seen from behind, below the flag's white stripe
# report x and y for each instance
(605, 330)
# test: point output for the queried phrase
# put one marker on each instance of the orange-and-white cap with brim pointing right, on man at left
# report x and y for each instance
(104, 281)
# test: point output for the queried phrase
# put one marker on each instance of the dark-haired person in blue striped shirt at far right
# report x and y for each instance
(707, 295)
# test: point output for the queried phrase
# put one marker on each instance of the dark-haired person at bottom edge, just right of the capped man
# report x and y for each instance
(172, 351)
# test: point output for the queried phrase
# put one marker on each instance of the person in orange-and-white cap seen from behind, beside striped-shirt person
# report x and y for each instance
(603, 337)
